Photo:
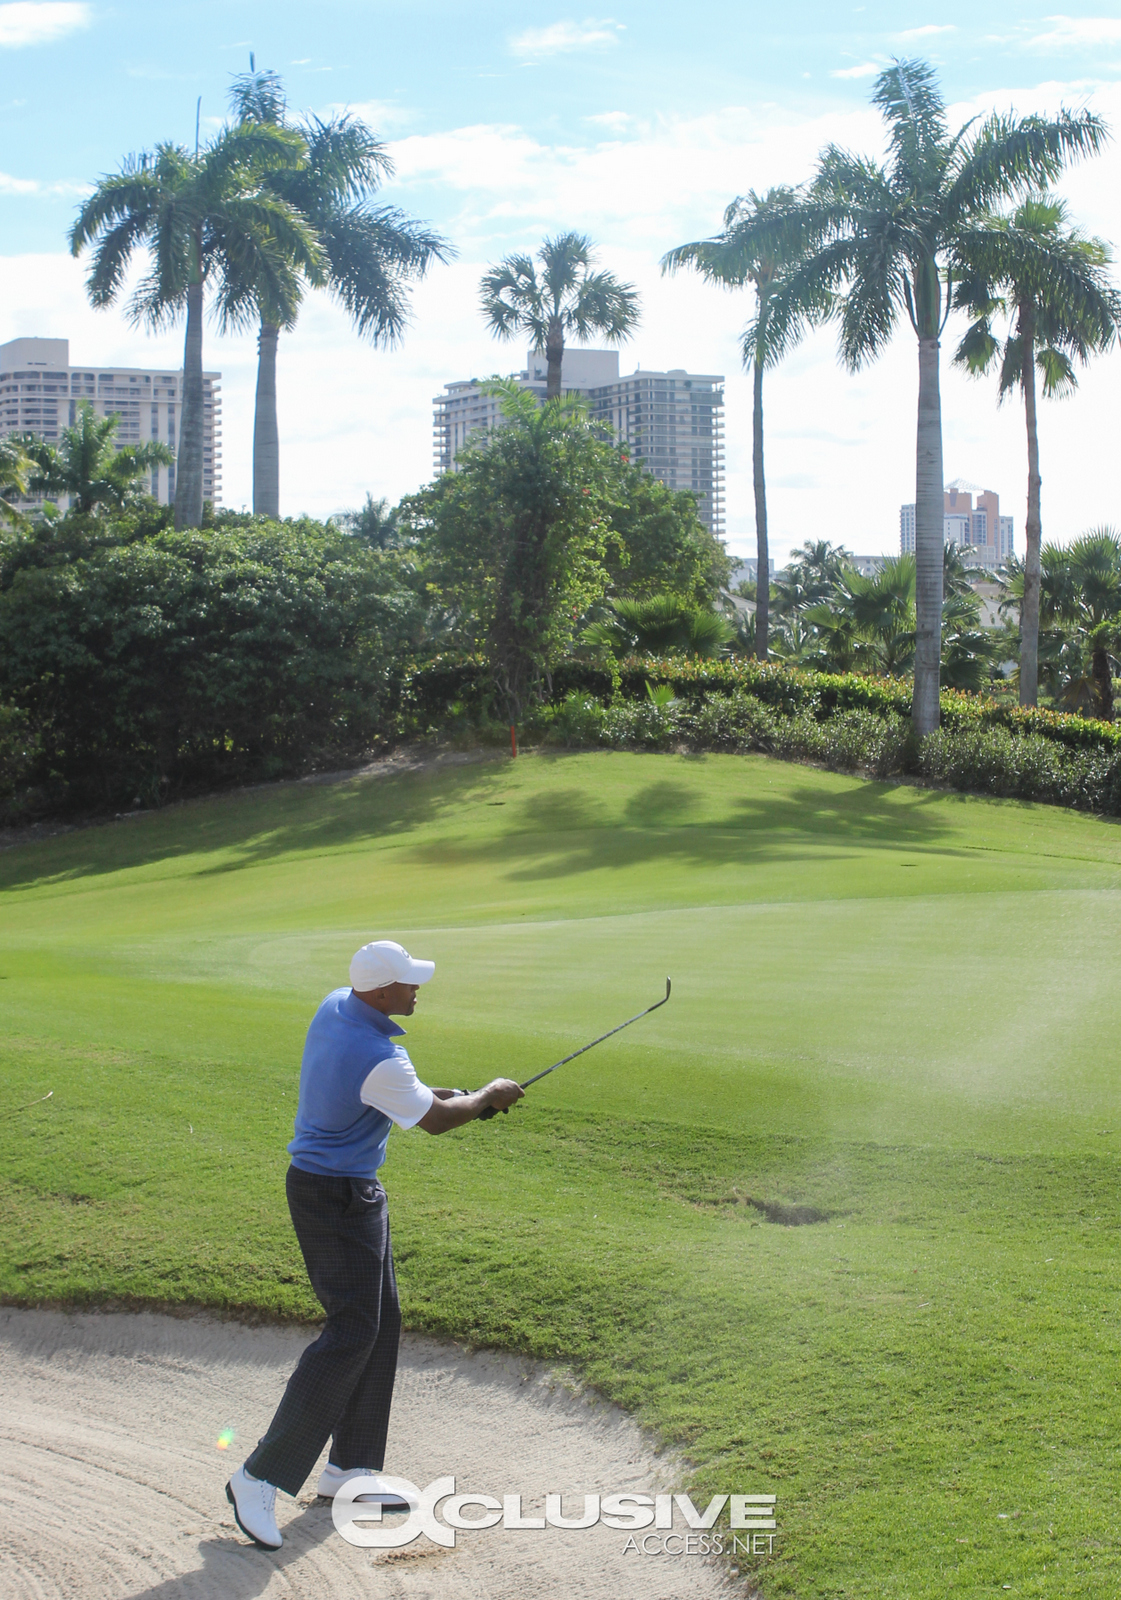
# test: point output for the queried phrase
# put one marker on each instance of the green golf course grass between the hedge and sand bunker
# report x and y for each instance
(896, 1007)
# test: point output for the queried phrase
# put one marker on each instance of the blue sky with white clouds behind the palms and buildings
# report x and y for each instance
(632, 122)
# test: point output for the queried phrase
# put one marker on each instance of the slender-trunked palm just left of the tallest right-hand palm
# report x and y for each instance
(764, 238)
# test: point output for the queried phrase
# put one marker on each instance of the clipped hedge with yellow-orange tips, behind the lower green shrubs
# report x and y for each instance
(450, 681)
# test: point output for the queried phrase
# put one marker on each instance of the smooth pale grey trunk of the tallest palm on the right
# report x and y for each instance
(928, 542)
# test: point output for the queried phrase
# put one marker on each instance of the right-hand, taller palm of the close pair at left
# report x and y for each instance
(370, 252)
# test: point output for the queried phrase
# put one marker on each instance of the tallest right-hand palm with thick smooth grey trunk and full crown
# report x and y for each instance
(893, 246)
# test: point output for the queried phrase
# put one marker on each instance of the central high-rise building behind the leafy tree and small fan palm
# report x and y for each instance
(674, 423)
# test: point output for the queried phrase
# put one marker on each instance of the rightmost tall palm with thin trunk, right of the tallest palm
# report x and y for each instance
(1053, 282)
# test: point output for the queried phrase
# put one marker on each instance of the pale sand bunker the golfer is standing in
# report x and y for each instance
(113, 1482)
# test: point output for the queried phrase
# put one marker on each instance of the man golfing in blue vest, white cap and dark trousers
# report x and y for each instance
(356, 1082)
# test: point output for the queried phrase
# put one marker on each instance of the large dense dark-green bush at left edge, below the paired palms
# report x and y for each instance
(178, 662)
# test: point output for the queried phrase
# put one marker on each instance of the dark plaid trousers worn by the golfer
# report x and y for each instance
(343, 1386)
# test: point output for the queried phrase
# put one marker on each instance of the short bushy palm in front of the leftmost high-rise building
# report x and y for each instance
(90, 468)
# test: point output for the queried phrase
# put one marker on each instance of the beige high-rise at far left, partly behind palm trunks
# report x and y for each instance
(41, 394)
